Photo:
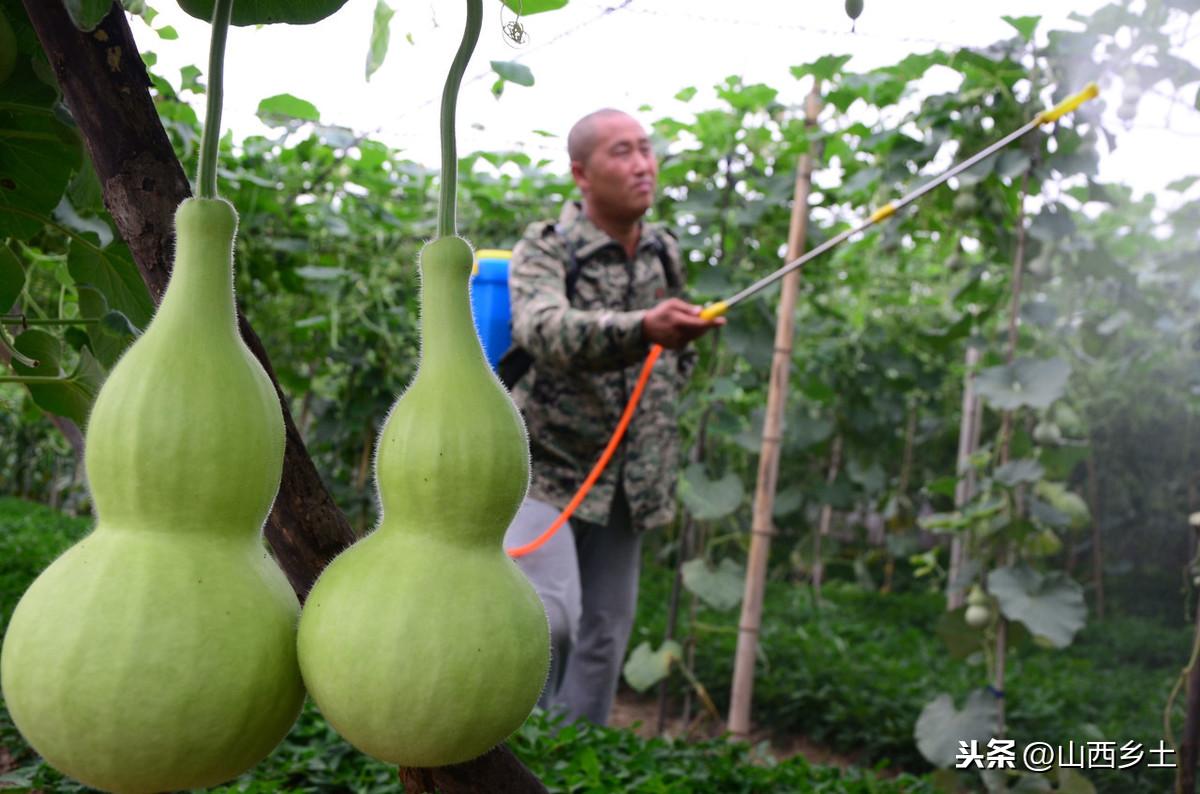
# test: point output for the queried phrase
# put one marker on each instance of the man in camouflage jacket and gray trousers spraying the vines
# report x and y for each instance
(590, 296)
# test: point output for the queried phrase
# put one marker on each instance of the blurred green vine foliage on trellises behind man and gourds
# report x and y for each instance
(1103, 392)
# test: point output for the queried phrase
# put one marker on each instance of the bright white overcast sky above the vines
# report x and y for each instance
(620, 53)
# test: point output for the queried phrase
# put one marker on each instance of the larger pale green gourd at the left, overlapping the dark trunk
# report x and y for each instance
(159, 653)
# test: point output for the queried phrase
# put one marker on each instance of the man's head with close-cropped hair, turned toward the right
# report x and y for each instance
(620, 177)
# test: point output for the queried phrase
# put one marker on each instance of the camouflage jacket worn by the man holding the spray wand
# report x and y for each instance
(587, 357)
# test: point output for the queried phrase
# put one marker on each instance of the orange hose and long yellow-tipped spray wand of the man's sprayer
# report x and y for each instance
(721, 308)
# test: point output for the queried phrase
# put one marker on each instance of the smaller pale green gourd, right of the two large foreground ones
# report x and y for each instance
(424, 645)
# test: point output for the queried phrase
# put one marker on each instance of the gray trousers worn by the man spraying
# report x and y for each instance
(587, 579)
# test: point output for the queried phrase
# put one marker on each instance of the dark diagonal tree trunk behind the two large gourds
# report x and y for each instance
(106, 87)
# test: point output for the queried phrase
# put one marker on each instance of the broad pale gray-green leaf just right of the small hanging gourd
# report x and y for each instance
(1051, 605)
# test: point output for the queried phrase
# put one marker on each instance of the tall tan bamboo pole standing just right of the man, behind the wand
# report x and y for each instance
(763, 526)
